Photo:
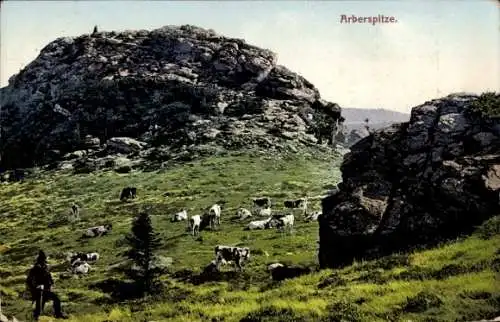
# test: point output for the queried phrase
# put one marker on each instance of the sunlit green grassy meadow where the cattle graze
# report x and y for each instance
(457, 281)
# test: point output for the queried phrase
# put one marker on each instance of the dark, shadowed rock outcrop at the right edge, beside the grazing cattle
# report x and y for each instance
(419, 182)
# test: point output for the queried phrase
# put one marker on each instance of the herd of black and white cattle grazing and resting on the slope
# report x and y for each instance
(79, 262)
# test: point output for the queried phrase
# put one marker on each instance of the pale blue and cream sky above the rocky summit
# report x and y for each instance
(435, 48)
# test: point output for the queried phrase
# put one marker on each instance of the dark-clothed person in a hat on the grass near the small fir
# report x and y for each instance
(39, 283)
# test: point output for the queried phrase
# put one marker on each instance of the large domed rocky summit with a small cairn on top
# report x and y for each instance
(175, 89)
